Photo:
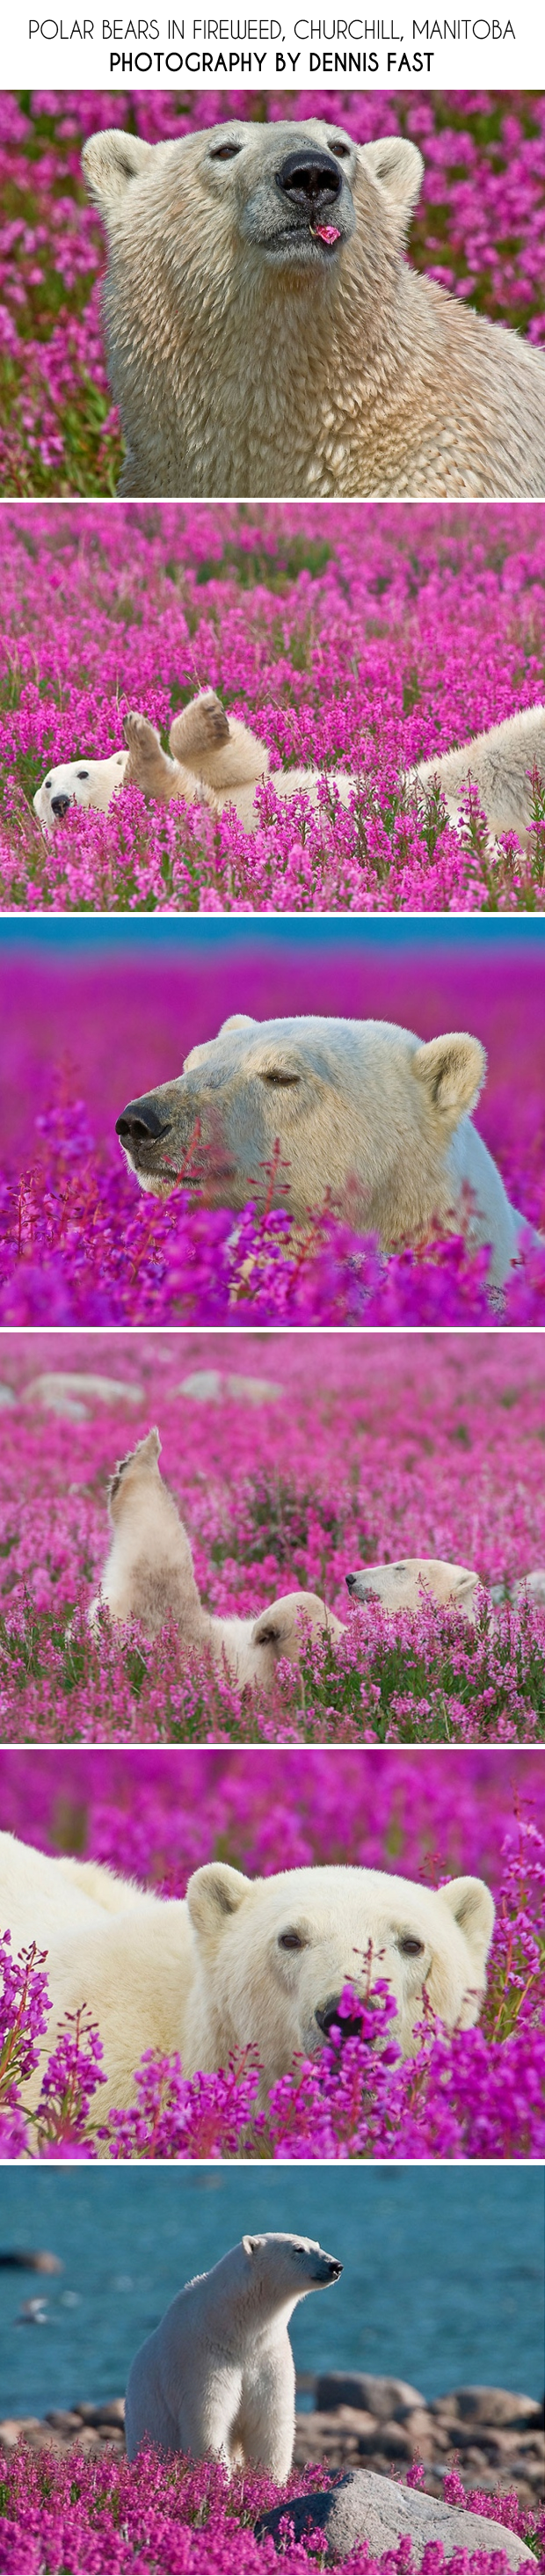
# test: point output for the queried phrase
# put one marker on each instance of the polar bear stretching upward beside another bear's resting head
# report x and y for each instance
(150, 1578)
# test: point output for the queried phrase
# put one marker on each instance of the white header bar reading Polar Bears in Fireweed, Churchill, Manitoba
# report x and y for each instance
(289, 50)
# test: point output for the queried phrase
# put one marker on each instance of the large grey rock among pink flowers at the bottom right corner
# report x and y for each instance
(382, 2513)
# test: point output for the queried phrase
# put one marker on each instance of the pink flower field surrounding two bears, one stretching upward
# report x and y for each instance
(425, 1446)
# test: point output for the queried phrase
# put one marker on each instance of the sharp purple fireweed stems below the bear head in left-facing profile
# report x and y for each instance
(78, 1245)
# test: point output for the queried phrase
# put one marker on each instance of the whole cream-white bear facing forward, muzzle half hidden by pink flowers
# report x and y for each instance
(240, 1962)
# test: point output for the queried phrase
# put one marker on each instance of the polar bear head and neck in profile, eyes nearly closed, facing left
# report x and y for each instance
(366, 1117)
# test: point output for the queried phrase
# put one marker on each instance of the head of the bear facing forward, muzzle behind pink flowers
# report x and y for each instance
(274, 1956)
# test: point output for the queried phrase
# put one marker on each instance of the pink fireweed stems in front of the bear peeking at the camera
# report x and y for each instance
(467, 2093)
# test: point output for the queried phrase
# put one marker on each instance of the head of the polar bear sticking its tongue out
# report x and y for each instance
(251, 202)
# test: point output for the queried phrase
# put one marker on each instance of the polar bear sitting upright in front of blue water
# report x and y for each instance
(217, 2376)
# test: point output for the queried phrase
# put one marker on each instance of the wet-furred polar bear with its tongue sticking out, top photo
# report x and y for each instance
(266, 334)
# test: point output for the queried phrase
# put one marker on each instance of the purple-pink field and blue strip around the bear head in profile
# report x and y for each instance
(84, 1245)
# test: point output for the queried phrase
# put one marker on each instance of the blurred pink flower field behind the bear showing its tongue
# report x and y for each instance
(479, 231)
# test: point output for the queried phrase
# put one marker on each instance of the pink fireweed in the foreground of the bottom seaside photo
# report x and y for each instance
(179, 2518)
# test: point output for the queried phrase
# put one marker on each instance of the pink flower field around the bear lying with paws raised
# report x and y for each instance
(348, 638)
